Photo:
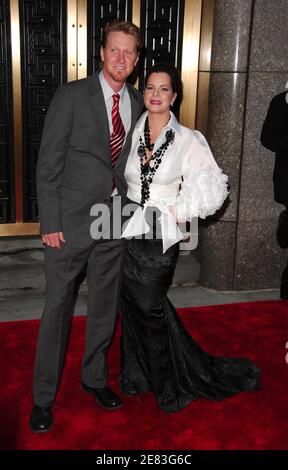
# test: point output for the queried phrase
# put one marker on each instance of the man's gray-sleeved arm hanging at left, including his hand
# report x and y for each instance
(51, 160)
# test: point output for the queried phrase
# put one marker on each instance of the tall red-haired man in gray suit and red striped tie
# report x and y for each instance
(85, 144)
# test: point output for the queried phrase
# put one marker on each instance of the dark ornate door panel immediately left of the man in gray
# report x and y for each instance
(44, 59)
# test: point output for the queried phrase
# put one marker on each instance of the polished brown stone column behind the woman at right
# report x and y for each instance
(249, 60)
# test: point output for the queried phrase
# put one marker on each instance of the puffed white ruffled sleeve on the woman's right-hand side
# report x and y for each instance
(204, 186)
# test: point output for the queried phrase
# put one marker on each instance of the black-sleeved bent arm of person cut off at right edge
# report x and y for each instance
(274, 135)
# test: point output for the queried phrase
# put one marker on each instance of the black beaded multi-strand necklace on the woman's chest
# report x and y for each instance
(147, 170)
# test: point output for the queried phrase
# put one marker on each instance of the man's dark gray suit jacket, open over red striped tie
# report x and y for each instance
(74, 169)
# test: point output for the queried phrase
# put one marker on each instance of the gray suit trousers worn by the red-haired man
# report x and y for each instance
(104, 265)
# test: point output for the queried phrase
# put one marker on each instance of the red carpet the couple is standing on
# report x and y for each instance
(255, 420)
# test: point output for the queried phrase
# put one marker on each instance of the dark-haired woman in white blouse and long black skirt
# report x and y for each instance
(170, 172)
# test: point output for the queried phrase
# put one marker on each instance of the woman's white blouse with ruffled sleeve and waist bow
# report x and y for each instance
(188, 162)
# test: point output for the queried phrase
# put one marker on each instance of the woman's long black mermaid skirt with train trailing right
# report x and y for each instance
(157, 353)
